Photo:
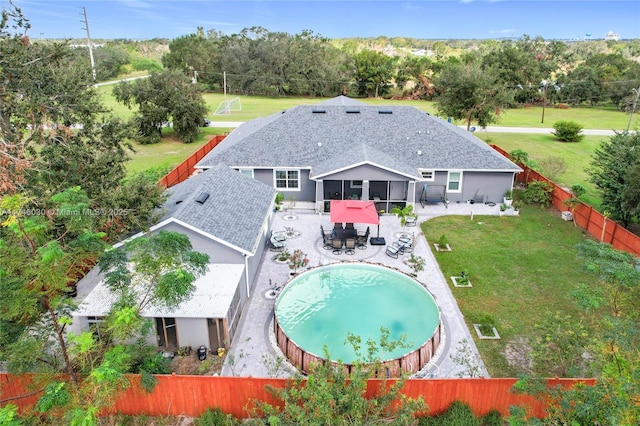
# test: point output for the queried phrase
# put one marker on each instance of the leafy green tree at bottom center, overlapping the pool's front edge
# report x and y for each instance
(331, 396)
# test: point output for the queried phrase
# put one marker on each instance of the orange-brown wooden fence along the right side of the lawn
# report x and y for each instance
(588, 218)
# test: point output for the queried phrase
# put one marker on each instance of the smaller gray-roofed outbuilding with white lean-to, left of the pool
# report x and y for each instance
(226, 215)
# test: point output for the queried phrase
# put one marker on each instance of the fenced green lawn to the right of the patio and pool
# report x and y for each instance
(520, 269)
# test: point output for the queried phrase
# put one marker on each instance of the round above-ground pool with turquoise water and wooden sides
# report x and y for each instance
(323, 305)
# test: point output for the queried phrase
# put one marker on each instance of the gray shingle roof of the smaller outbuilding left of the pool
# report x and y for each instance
(234, 212)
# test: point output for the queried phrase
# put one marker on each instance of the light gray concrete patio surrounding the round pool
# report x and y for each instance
(254, 352)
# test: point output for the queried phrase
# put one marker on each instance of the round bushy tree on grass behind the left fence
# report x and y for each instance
(165, 96)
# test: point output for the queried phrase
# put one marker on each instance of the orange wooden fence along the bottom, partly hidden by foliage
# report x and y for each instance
(191, 395)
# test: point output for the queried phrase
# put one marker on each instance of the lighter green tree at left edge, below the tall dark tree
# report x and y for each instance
(37, 264)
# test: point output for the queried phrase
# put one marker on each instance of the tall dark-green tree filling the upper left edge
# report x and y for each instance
(44, 91)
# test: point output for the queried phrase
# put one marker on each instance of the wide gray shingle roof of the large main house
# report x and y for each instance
(308, 136)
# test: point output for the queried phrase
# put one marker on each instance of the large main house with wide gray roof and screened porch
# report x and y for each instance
(344, 149)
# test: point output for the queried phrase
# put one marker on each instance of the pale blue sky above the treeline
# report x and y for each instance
(425, 19)
